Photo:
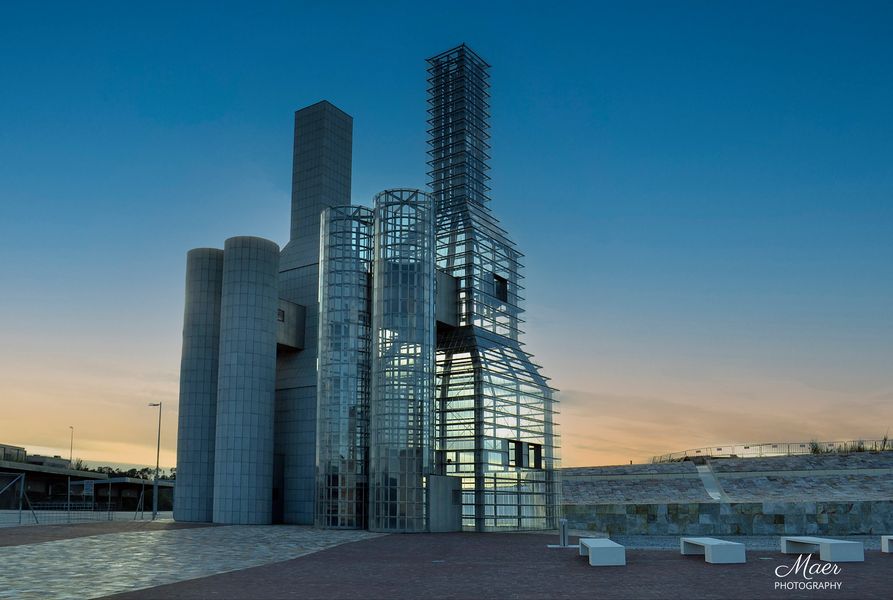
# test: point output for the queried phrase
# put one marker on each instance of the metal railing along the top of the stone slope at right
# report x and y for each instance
(777, 449)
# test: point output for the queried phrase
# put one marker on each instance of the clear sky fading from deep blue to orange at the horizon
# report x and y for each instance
(702, 190)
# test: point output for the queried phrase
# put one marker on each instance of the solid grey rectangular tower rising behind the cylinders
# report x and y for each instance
(320, 179)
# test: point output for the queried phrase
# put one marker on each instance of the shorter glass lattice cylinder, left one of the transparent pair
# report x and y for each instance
(345, 345)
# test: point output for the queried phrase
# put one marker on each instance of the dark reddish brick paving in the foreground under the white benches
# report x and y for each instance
(467, 565)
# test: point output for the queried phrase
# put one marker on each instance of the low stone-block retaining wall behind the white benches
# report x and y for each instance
(737, 518)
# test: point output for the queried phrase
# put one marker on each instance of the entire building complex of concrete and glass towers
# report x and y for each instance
(386, 387)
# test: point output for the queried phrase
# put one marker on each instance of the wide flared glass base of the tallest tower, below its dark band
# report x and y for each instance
(495, 430)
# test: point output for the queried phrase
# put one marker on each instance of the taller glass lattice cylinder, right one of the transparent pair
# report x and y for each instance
(403, 347)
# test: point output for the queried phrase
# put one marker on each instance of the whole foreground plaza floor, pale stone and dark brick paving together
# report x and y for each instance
(170, 560)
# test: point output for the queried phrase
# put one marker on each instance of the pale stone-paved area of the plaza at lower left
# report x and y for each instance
(92, 566)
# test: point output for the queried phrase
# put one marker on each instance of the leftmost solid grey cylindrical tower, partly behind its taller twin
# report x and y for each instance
(198, 386)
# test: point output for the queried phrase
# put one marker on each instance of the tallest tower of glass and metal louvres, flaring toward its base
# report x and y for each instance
(495, 412)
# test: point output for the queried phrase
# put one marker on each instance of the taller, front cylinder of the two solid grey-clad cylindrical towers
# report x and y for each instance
(243, 458)
